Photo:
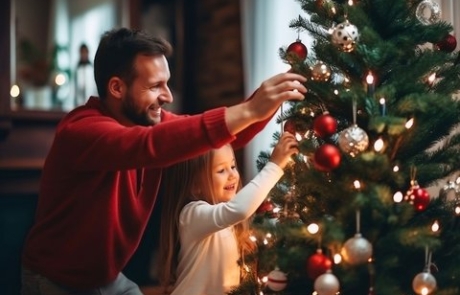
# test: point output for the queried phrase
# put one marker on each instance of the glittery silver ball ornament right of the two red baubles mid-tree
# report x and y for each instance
(353, 140)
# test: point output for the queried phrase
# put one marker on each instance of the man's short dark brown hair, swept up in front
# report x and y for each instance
(117, 51)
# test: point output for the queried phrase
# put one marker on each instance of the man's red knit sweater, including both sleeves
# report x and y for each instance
(99, 185)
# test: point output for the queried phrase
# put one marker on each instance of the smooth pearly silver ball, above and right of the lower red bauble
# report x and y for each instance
(357, 250)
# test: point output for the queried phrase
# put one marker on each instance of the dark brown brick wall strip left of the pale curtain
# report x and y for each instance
(217, 54)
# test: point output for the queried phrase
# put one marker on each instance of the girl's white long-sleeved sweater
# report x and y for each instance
(209, 252)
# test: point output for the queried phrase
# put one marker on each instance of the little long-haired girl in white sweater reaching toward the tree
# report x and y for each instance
(204, 228)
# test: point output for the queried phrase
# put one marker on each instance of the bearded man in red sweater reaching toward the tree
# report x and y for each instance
(103, 171)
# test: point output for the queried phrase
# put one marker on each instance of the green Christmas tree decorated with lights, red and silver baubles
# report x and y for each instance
(353, 214)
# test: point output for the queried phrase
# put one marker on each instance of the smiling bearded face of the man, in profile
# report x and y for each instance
(149, 91)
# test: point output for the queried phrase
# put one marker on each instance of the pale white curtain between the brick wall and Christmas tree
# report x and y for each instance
(265, 28)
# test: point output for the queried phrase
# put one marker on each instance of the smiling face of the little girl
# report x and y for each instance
(224, 174)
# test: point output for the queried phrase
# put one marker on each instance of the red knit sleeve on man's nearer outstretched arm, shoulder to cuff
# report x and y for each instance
(87, 135)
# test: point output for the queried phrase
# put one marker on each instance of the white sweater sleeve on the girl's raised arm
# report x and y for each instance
(199, 219)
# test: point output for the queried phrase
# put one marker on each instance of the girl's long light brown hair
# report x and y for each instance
(185, 182)
